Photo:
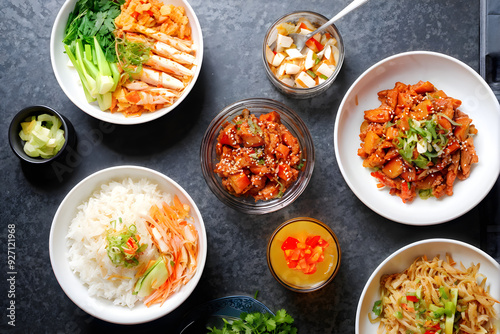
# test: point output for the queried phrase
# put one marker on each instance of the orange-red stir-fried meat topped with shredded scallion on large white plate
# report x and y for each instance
(418, 140)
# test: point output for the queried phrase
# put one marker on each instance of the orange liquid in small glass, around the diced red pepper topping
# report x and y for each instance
(296, 280)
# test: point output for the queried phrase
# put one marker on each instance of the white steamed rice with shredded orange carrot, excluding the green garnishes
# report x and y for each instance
(114, 207)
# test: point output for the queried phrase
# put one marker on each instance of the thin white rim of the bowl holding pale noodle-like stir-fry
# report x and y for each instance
(408, 247)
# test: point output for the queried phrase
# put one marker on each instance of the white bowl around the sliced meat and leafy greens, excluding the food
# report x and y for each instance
(68, 79)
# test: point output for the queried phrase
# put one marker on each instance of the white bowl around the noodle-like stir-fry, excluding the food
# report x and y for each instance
(404, 257)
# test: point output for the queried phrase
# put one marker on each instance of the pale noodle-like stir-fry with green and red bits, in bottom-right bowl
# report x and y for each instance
(433, 297)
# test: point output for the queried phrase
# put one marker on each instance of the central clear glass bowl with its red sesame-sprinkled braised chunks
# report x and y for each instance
(257, 156)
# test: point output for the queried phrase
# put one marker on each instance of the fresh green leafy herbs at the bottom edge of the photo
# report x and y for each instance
(258, 323)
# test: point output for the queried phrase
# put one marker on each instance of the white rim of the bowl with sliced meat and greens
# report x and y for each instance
(118, 118)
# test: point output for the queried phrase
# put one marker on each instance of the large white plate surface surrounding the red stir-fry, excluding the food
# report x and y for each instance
(457, 80)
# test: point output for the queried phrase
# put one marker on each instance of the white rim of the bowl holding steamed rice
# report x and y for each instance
(57, 270)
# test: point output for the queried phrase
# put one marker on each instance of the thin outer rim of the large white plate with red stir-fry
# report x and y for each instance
(454, 214)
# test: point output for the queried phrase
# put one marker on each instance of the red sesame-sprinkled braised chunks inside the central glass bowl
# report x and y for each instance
(259, 157)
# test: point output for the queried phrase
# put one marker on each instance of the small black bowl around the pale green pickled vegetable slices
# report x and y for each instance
(17, 144)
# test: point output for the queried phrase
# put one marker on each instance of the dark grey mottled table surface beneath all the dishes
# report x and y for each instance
(232, 70)
